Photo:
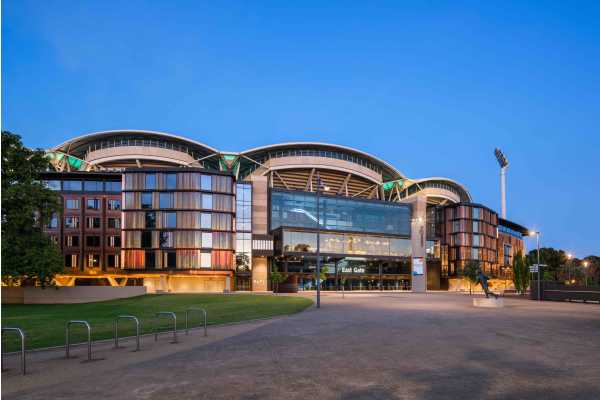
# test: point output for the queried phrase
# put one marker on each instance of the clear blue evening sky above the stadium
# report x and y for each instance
(431, 87)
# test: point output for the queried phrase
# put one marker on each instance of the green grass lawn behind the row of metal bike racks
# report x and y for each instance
(44, 325)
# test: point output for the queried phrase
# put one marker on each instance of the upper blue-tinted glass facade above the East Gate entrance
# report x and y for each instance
(299, 210)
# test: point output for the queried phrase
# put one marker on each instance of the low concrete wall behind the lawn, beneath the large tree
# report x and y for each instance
(68, 294)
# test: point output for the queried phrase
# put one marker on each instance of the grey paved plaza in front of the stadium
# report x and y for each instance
(363, 346)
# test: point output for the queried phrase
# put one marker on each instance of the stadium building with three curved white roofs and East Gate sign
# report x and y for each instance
(175, 215)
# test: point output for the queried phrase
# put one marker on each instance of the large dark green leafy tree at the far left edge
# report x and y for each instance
(28, 254)
